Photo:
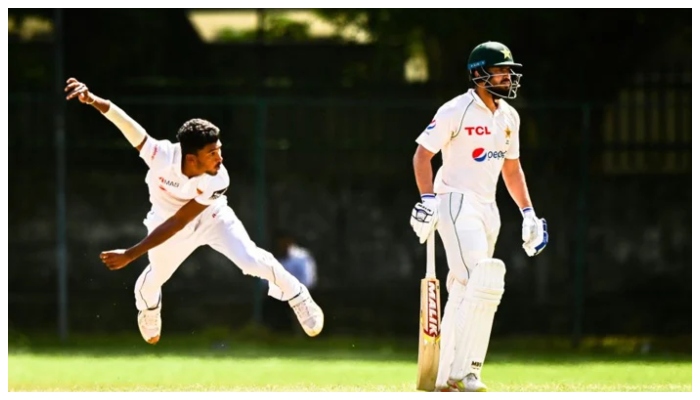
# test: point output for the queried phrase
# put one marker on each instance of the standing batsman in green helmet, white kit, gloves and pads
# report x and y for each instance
(478, 134)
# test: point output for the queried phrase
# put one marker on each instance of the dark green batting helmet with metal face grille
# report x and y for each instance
(493, 54)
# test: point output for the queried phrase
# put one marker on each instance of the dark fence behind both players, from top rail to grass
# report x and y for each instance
(612, 179)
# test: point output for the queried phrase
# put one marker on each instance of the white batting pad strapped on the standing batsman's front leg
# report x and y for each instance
(474, 316)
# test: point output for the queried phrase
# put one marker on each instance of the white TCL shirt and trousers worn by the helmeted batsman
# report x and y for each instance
(474, 143)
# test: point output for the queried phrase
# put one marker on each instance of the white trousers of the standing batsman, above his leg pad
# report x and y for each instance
(469, 230)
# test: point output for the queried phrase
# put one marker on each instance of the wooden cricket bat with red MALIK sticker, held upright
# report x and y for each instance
(429, 326)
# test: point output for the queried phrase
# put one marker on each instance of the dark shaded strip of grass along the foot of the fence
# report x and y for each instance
(257, 344)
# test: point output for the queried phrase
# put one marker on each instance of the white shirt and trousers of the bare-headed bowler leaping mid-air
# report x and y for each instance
(217, 226)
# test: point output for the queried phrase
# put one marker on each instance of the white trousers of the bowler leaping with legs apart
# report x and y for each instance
(220, 228)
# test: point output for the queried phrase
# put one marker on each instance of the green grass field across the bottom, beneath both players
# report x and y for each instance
(317, 365)
